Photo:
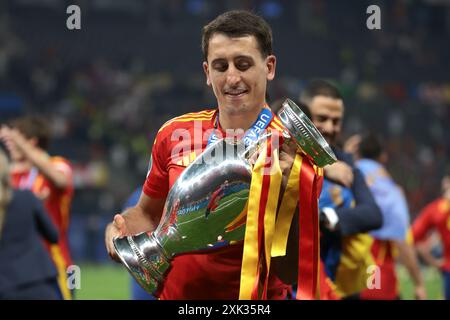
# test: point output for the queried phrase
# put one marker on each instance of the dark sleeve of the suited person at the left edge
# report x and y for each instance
(44, 223)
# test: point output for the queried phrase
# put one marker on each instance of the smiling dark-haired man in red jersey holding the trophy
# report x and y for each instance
(239, 61)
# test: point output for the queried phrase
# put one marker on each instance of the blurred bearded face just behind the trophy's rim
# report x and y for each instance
(327, 114)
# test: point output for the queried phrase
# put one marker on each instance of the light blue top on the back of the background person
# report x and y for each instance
(389, 198)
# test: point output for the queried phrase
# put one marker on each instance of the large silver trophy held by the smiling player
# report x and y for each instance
(205, 207)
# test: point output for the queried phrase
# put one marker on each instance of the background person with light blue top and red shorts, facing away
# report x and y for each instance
(393, 238)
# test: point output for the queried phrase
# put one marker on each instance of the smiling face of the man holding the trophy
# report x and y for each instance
(238, 73)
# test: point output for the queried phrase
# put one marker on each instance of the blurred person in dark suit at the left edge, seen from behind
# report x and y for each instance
(26, 269)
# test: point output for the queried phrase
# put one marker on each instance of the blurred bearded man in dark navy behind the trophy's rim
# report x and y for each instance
(348, 209)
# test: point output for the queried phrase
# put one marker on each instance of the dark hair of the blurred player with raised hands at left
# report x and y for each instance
(34, 126)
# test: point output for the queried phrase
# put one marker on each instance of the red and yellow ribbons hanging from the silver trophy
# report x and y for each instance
(266, 235)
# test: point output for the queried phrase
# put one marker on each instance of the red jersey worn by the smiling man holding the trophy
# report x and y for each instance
(212, 275)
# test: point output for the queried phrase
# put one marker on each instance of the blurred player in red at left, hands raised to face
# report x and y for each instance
(49, 177)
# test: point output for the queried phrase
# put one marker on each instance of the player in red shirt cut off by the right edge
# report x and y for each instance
(436, 216)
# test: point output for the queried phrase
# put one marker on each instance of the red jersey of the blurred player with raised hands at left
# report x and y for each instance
(57, 202)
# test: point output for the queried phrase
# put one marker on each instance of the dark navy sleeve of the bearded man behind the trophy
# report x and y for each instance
(366, 215)
